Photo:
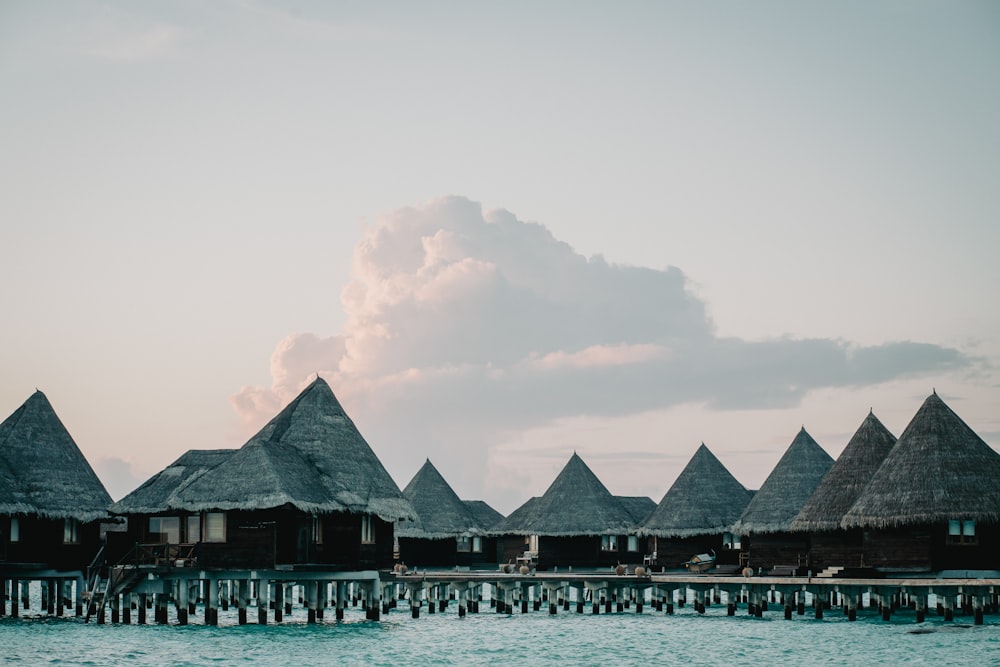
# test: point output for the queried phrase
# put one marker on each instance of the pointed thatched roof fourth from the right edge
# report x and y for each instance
(705, 499)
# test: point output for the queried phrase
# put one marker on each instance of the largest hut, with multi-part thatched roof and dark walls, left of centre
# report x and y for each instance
(305, 491)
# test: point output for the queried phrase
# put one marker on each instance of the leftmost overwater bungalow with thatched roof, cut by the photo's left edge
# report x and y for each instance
(51, 502)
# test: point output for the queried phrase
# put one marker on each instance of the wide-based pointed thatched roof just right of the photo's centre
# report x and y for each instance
(576, 503)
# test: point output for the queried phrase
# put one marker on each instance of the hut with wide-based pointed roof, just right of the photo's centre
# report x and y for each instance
(576, 522)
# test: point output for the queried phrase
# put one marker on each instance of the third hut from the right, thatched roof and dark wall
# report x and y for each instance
(765, 525)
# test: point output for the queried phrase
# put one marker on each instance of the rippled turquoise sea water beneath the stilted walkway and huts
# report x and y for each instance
(535, 638)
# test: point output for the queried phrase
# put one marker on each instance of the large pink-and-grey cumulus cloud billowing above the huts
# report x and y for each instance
(464, 327)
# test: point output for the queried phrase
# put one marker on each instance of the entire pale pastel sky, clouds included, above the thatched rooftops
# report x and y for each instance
(501, 232)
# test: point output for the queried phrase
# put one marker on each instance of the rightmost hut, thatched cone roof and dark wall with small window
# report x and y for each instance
(934, 503)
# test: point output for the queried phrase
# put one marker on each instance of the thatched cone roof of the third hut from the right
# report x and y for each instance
(786, 489)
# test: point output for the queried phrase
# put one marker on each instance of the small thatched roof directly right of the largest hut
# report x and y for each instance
(440, 512)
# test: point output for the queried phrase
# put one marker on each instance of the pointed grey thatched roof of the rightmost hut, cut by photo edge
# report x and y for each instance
(938, 470)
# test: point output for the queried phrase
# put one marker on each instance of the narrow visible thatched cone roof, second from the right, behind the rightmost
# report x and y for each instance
(847, 477)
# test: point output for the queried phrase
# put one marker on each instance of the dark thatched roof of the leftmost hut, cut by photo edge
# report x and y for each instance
(42, 471)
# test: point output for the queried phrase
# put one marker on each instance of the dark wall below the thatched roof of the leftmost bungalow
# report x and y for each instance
(42, 541)
